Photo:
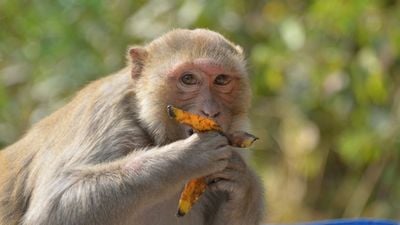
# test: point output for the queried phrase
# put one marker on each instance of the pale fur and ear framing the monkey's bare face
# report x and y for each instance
(182, 45)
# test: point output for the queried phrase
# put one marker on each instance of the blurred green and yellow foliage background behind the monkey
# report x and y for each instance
(325, 78)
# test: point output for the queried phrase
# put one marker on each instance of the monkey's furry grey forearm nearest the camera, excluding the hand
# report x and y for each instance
(101, 194)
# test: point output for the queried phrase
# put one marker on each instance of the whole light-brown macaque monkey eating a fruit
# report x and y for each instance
(112, 156)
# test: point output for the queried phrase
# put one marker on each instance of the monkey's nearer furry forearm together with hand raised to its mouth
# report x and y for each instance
(108, 193)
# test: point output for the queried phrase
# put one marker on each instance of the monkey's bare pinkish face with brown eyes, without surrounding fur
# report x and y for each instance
(205, 87)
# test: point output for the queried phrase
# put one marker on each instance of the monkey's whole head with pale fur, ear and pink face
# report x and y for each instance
(197, 70)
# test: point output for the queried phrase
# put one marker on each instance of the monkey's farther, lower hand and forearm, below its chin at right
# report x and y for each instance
(244, 197)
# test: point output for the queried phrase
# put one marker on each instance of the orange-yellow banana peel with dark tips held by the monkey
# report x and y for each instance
(196, 187)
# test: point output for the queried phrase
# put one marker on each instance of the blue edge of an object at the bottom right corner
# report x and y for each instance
(353, 222)
